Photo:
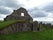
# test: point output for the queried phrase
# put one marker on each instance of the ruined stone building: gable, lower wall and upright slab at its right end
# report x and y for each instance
(25, 24)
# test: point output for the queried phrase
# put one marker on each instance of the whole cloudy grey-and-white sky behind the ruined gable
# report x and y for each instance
(40, 10)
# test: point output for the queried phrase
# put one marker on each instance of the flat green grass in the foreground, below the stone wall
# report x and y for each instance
(43, 35)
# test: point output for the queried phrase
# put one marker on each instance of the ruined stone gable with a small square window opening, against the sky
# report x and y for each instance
(18, 15)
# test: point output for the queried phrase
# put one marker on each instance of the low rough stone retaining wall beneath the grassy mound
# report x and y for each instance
(17, 27)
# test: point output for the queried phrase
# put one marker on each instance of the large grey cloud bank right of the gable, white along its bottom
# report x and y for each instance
(41, 15)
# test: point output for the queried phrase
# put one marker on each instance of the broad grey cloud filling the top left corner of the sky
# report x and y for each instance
(10, 3)
